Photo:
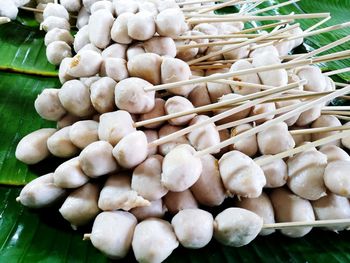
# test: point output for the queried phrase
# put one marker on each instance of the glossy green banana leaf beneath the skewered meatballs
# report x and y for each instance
(43, 236)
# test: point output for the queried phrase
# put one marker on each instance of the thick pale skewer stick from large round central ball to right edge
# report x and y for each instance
(269, 123)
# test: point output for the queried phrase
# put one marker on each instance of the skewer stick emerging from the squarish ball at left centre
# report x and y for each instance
(216, 105)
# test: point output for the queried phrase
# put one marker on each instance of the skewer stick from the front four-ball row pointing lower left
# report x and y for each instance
(223, 115)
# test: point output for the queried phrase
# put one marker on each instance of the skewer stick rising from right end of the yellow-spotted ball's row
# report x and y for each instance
(245, 43)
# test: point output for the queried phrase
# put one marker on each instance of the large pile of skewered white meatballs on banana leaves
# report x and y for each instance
(122, 167)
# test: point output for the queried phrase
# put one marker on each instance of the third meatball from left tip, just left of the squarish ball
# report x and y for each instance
(83, 133)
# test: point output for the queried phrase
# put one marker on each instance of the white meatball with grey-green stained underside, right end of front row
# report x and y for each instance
(236, 227)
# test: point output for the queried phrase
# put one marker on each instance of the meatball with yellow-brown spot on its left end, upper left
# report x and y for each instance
(85, 64)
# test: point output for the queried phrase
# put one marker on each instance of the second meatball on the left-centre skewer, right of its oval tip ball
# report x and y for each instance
(60, 145)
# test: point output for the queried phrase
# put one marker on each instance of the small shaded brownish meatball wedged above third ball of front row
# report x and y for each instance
(177, 201)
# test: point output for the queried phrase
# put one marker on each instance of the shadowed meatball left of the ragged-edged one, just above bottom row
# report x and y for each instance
(80, 207)
